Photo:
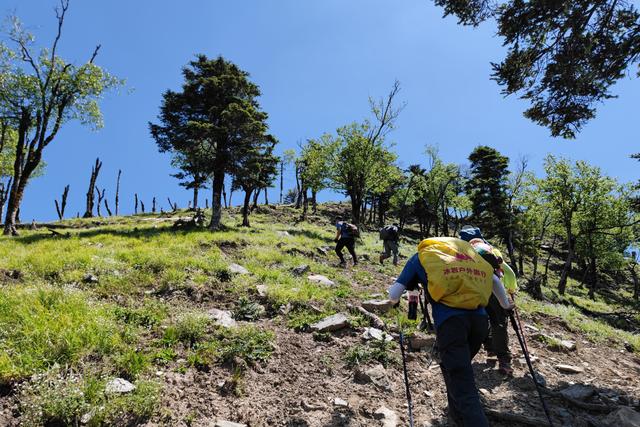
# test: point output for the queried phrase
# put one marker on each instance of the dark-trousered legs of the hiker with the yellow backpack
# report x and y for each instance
(457, 347)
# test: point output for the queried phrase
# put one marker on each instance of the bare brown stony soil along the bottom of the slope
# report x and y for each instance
(300, 384)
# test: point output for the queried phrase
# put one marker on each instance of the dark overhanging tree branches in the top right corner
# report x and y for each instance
(562, 57)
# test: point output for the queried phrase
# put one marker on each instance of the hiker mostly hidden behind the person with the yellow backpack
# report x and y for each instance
(497, 343)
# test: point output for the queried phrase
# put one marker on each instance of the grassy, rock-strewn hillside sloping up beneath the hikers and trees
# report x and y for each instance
(134, 298)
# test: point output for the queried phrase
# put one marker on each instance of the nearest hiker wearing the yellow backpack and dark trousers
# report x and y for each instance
(459, 286)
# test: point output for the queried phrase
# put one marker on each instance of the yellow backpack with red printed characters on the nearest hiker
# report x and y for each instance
(458, 277)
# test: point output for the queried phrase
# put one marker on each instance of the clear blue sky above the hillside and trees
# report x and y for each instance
(316, 62)
